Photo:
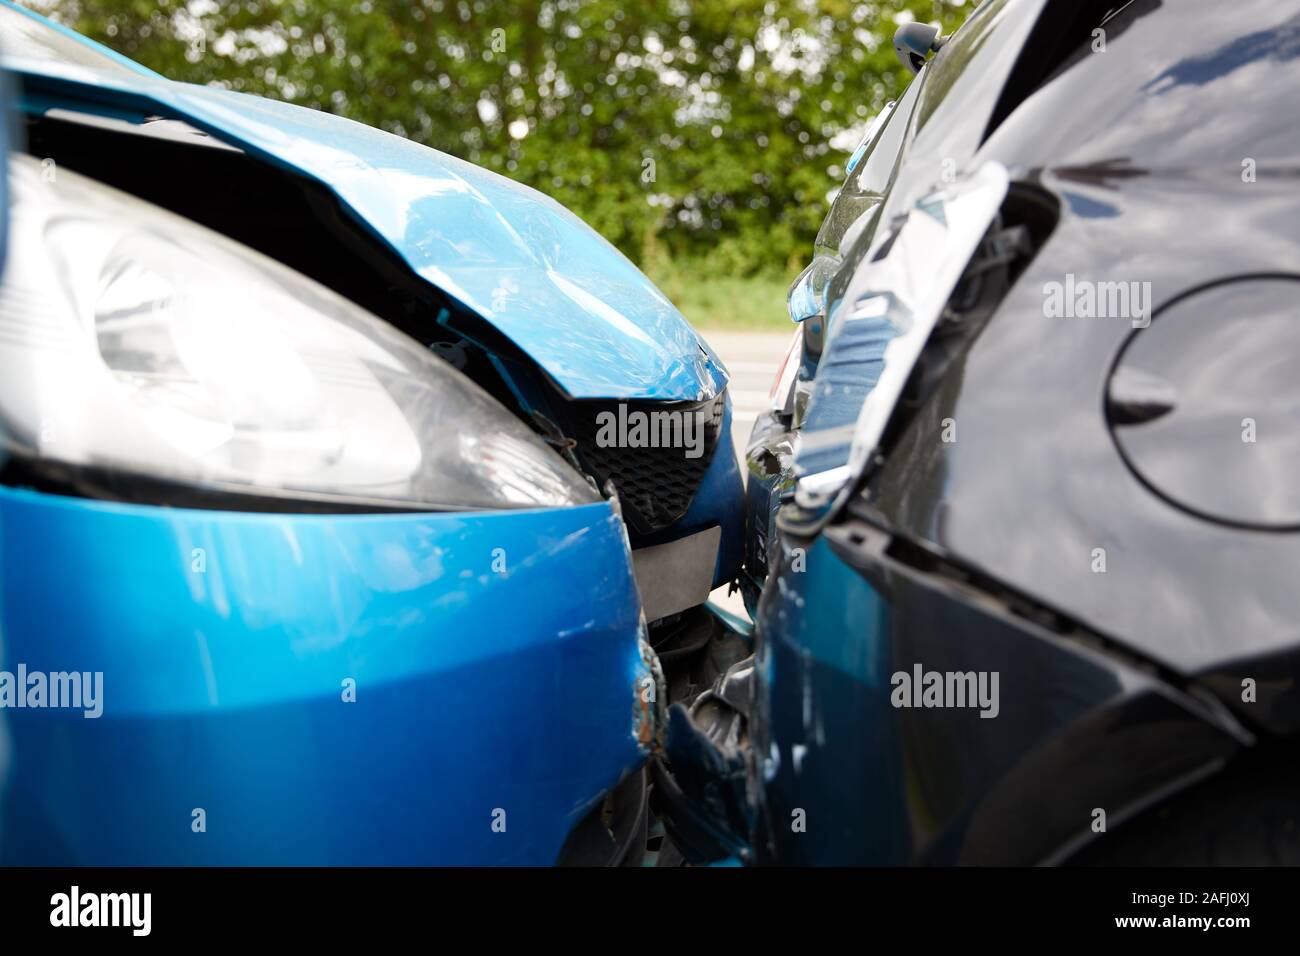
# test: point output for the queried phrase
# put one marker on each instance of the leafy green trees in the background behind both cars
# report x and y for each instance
(682, 131)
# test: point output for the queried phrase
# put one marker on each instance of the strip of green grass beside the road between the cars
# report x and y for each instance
(755, 304)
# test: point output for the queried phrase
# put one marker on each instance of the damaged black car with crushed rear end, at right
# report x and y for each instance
(1025, 539)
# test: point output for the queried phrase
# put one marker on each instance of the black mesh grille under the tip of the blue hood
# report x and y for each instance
(656, 485)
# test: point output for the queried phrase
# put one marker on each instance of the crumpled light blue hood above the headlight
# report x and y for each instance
(519, 259)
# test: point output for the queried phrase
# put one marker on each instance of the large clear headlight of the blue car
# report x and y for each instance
(137, 341)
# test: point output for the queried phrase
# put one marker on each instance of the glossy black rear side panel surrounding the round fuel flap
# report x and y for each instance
(1175, 165)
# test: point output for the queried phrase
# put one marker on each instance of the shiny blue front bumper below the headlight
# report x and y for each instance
(495, 660)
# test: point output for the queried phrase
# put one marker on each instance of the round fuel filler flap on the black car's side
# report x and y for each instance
(1220, 442)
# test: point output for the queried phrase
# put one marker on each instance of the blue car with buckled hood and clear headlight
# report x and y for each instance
(349, 494)
